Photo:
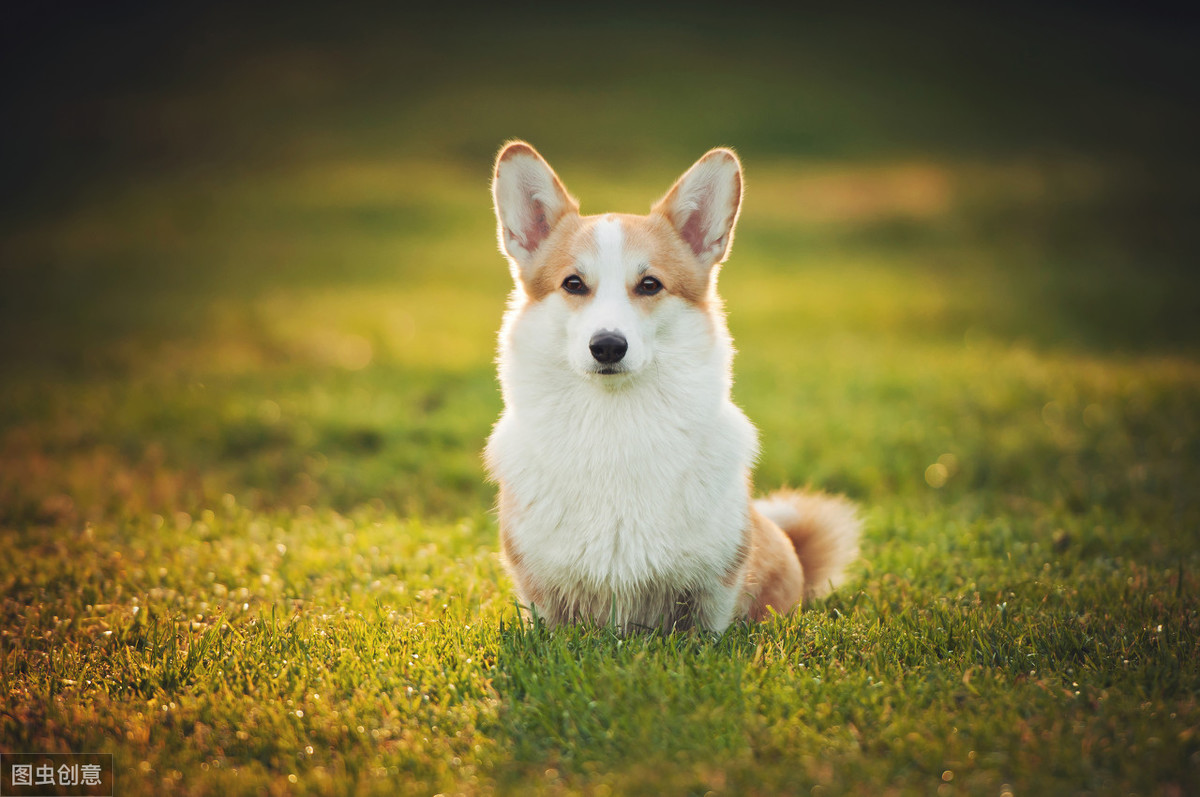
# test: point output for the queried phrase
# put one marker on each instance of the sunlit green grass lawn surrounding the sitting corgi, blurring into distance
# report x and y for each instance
(247, 377)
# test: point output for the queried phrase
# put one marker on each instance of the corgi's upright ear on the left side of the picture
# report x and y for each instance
(530, 202)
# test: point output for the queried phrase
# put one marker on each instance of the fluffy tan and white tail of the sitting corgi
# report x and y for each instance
(824, 531)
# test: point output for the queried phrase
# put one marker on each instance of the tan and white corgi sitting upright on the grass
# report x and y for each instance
(622, 463)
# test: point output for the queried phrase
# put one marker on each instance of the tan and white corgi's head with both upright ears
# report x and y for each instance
(616, 289)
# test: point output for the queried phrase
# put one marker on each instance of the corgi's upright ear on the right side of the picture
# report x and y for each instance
(704, 206)
